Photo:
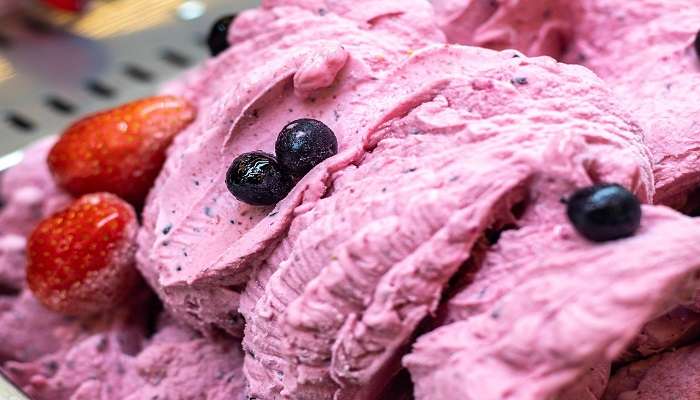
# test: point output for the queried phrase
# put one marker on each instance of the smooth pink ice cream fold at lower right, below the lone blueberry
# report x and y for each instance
(530, 324)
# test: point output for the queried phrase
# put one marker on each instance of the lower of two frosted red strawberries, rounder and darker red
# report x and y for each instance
(81, 260)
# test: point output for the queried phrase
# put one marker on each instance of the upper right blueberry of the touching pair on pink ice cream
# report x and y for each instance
(303, 144)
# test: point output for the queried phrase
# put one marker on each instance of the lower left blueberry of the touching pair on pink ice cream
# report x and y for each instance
(256, 178)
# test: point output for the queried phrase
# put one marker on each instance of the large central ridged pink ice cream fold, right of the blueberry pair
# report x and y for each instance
(351, 285)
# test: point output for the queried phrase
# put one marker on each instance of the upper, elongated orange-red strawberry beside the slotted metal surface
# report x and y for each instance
(121, 150)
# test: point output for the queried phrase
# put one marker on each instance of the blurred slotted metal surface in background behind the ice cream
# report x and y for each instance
(60, 59)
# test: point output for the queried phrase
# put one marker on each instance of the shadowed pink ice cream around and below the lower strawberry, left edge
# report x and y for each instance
(53, 357)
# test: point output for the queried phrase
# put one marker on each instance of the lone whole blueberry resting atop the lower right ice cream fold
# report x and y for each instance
(604, 212)
